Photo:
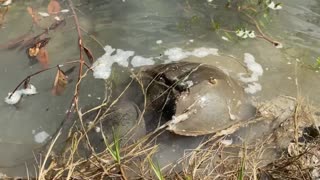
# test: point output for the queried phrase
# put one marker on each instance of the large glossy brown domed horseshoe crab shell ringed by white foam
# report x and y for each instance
(203, 98)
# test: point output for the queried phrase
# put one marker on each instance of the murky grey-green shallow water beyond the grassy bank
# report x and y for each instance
(137, 25)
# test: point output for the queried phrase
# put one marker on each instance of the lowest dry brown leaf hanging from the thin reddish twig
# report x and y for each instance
(60, 83)
